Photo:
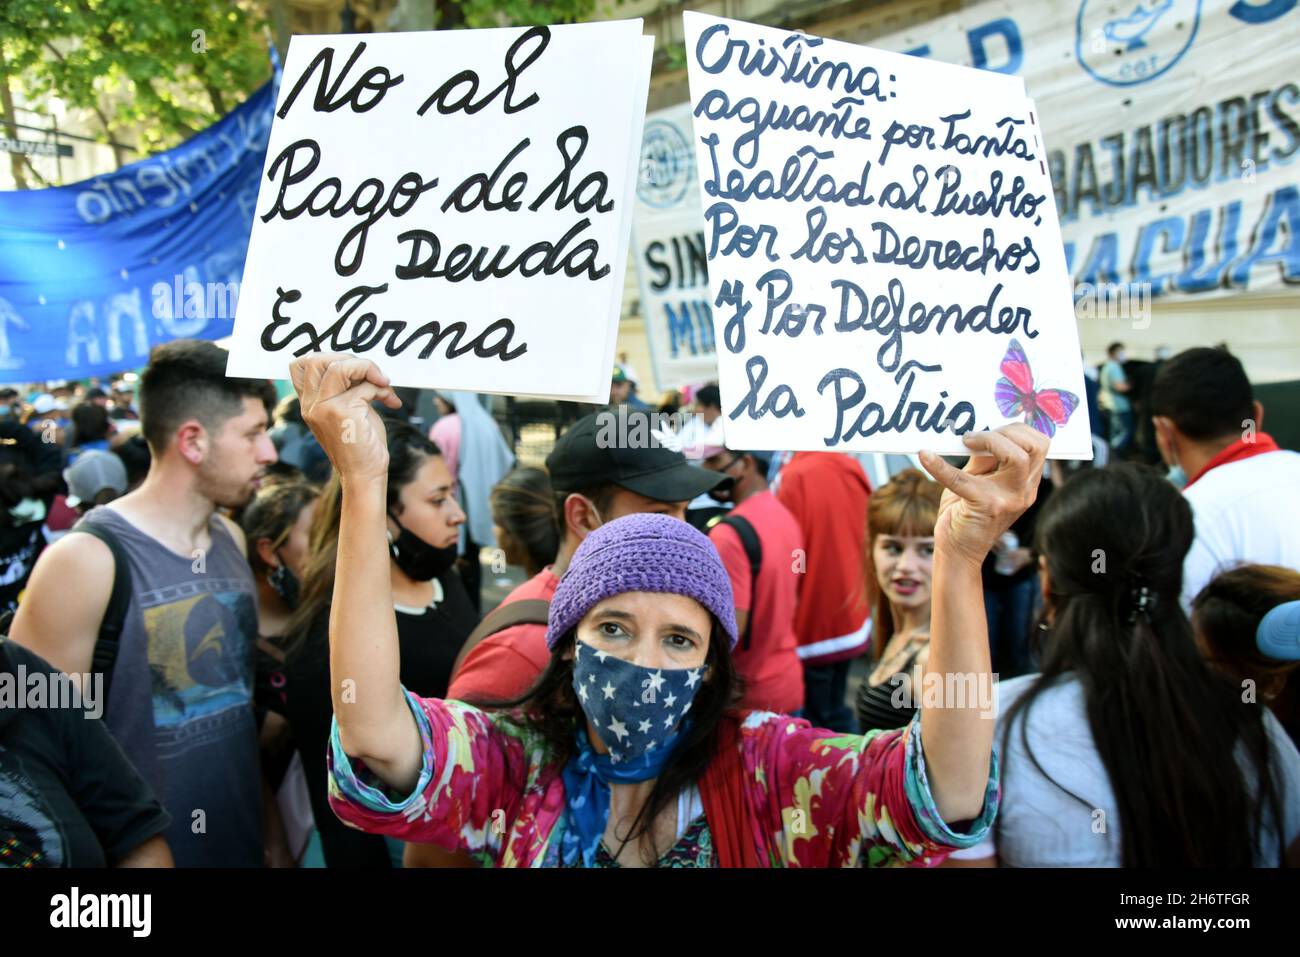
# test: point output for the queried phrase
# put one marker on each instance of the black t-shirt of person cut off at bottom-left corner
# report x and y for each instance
(68, 795)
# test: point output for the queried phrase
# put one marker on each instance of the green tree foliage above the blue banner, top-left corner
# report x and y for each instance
(155, 72)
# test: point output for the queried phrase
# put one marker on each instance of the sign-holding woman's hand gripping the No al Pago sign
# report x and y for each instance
(336, 393)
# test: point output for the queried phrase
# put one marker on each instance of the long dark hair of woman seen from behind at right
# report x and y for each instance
(1111, 538)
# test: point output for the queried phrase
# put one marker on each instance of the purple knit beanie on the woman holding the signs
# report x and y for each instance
(643, 553)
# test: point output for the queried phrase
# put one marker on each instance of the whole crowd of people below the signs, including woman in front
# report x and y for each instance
(717, 657)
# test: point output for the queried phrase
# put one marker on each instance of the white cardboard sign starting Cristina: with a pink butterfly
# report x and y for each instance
(885, 256)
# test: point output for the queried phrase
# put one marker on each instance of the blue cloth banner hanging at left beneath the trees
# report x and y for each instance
(94, 275)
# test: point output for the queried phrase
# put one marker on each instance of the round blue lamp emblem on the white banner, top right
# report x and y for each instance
(1125, 46)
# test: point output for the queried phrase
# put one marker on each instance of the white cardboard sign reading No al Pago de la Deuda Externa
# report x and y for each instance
(456, 206)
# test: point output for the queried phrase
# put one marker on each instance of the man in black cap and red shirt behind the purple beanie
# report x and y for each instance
(606, 466)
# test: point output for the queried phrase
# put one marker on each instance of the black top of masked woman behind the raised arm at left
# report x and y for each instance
(428, 643)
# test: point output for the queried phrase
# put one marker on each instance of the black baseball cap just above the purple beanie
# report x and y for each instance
(595, 452)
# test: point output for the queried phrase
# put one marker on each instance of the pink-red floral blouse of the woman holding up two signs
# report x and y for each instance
(816, 799)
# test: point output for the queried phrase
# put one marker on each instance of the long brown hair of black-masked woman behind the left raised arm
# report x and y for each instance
(409, 451)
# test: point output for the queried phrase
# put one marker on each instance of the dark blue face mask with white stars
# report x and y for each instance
(635, 711)
